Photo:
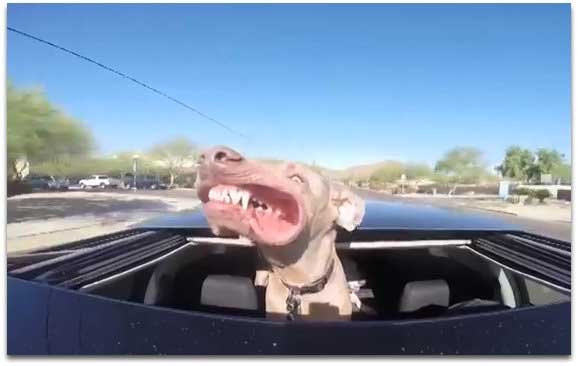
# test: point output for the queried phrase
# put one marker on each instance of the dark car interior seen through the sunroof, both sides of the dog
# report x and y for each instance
(396, 284)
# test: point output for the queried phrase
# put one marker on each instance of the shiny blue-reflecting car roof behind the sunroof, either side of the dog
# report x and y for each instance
(378, 215)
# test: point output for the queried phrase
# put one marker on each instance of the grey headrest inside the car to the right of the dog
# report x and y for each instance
(419, 294)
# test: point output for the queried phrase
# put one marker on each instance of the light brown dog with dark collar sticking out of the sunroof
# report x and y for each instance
(291, 213)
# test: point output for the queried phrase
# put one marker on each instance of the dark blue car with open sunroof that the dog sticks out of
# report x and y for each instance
(476, 286)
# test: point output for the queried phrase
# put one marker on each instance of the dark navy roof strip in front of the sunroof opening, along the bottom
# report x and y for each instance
(52, 317)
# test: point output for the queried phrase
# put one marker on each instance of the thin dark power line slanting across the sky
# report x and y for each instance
(121, 74)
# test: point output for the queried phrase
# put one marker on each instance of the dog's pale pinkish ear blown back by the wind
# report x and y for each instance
(350, 207)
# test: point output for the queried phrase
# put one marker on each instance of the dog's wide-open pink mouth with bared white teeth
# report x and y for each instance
(263, 214)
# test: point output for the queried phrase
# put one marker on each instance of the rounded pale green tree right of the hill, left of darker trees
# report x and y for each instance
(462, 164)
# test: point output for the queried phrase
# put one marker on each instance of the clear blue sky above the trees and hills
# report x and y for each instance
(339, 85)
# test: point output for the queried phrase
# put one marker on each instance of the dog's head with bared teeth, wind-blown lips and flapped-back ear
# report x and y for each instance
(273, 204)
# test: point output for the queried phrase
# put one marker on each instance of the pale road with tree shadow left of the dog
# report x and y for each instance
(51, 218)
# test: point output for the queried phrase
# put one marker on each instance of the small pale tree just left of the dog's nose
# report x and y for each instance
(174, 155)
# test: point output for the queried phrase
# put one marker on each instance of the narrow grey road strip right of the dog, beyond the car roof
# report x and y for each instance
(557, 230)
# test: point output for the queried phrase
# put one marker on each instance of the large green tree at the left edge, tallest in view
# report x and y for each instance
(39, 132)
